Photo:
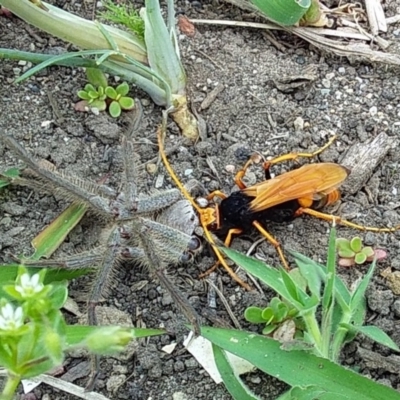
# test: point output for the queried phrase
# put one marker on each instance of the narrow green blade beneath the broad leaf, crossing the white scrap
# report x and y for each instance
(232, 382)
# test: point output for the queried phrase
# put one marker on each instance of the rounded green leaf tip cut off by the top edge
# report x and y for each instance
(285, 12)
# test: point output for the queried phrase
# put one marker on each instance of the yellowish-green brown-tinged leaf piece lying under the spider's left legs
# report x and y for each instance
(48, 241)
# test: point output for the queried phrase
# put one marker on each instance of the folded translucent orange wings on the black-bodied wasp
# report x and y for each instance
(305, 182)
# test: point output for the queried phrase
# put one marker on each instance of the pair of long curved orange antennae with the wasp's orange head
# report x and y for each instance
(206, 215)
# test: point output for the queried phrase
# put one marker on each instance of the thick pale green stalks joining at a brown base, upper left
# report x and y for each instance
(151, 61)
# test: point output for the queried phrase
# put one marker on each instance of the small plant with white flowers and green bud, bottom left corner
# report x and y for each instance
(34, 336)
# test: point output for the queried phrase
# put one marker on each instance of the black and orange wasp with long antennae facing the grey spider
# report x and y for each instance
(305, 190)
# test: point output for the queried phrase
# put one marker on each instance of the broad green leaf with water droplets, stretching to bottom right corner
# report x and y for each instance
(298, 368)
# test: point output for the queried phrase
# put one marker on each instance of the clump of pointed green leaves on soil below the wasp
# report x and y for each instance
(327, 315)
